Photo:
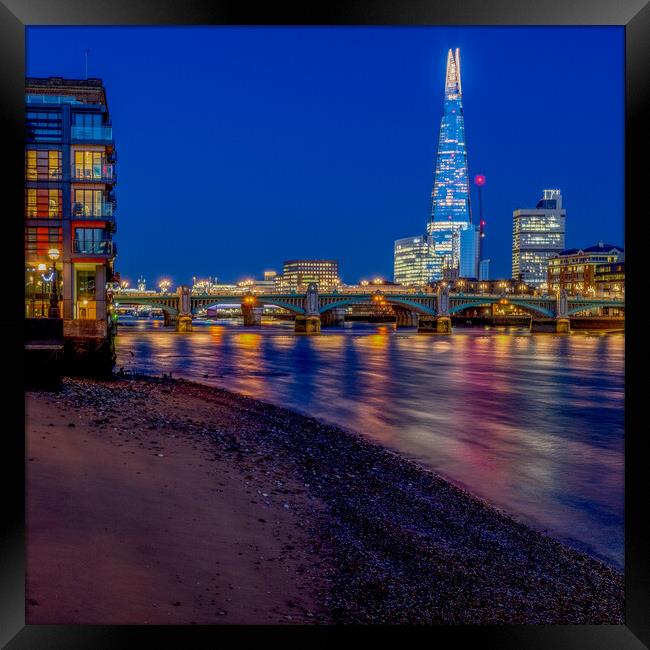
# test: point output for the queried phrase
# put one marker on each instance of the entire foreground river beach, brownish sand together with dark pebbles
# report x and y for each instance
(166, 502)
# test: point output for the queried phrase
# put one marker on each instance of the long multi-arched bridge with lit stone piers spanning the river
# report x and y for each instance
(429, 312)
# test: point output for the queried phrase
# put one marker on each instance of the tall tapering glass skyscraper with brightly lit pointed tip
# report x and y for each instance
(455, 238)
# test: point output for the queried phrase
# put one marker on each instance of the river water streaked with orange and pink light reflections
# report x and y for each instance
(531, 423)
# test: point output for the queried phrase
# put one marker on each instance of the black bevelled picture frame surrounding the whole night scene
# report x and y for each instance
(15, 15)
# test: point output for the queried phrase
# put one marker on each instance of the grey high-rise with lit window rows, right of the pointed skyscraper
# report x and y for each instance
(537, 235)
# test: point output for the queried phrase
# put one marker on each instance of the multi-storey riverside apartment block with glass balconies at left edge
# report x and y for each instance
(69, 207)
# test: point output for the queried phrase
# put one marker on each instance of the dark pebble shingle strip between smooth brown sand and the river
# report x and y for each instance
(394, 542)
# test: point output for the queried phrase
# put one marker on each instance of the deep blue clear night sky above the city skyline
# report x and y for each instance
(239, 148)
